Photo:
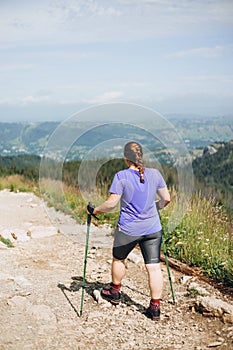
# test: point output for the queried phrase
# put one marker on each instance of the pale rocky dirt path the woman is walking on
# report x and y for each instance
(40, 291)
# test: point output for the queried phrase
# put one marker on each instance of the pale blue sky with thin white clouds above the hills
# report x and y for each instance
(59, 56)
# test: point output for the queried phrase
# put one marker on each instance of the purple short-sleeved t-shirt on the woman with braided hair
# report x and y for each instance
(138, 214)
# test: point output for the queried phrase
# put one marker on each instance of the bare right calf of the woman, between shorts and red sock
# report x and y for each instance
(155, 280)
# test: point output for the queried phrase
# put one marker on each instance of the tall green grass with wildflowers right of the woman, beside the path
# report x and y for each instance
(203, 239)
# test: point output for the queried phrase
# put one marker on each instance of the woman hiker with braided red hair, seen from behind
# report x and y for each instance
(139, 223)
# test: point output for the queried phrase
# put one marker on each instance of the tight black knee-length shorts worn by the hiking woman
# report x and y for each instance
(149, 244)
